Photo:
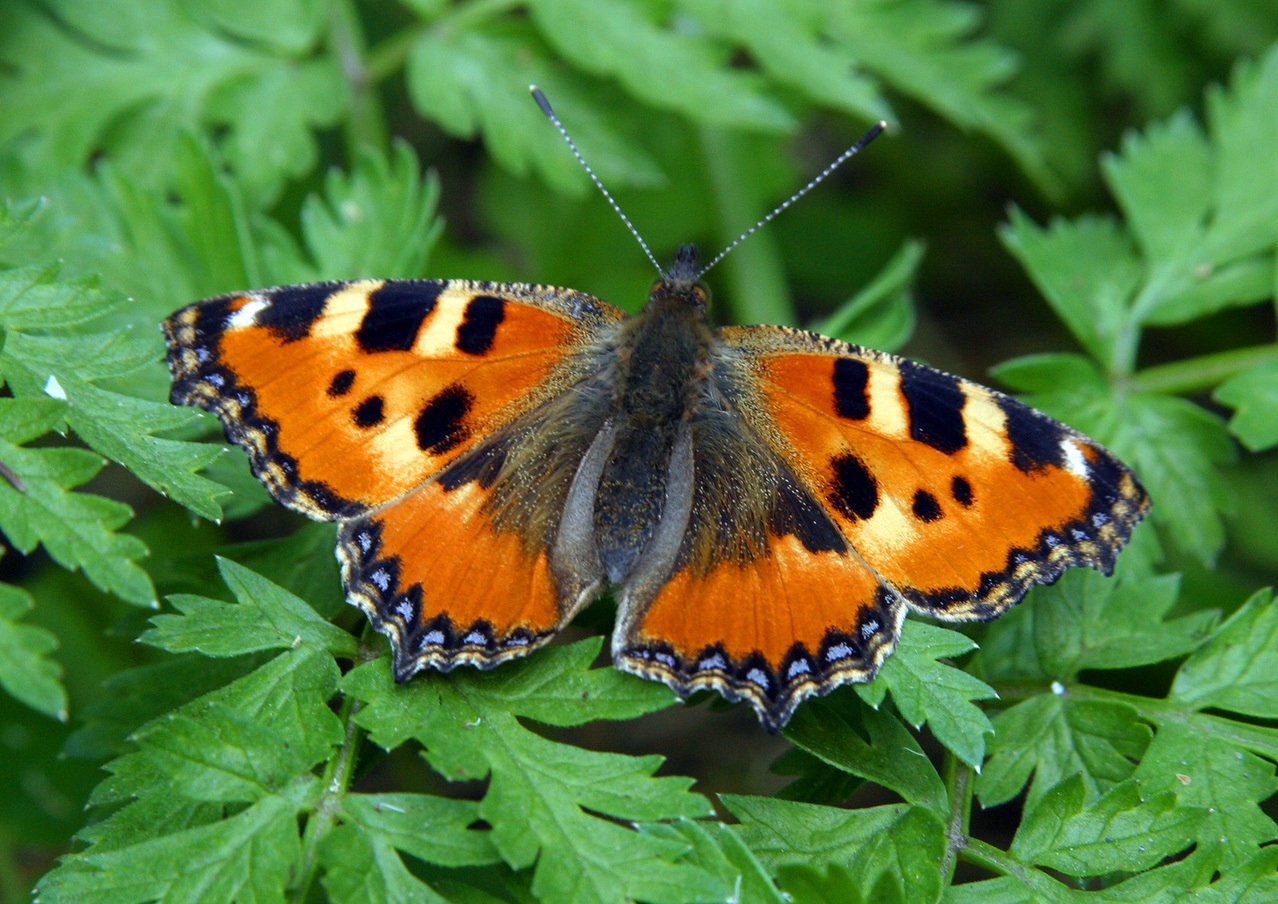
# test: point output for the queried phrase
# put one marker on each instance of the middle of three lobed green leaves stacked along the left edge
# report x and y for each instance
(77, 530)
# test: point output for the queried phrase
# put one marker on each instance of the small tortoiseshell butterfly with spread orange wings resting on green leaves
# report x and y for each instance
(766, 502)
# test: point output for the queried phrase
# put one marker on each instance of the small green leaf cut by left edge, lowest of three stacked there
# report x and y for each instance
(26, 672)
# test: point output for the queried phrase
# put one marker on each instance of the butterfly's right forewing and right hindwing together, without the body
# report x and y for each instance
(891, 484)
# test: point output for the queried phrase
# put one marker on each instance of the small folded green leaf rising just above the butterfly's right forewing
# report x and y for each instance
(882, 314)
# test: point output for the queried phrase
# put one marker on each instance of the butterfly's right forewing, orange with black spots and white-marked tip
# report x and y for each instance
(958, 497)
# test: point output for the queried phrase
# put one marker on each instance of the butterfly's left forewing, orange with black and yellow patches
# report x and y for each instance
(347, 396)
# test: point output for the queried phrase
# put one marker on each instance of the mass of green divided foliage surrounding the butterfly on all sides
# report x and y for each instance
(1120, 735)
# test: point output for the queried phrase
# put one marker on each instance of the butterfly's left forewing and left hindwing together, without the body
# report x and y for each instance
(356, 401)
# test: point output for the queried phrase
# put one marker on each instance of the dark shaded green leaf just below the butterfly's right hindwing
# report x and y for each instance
(876, 747)
